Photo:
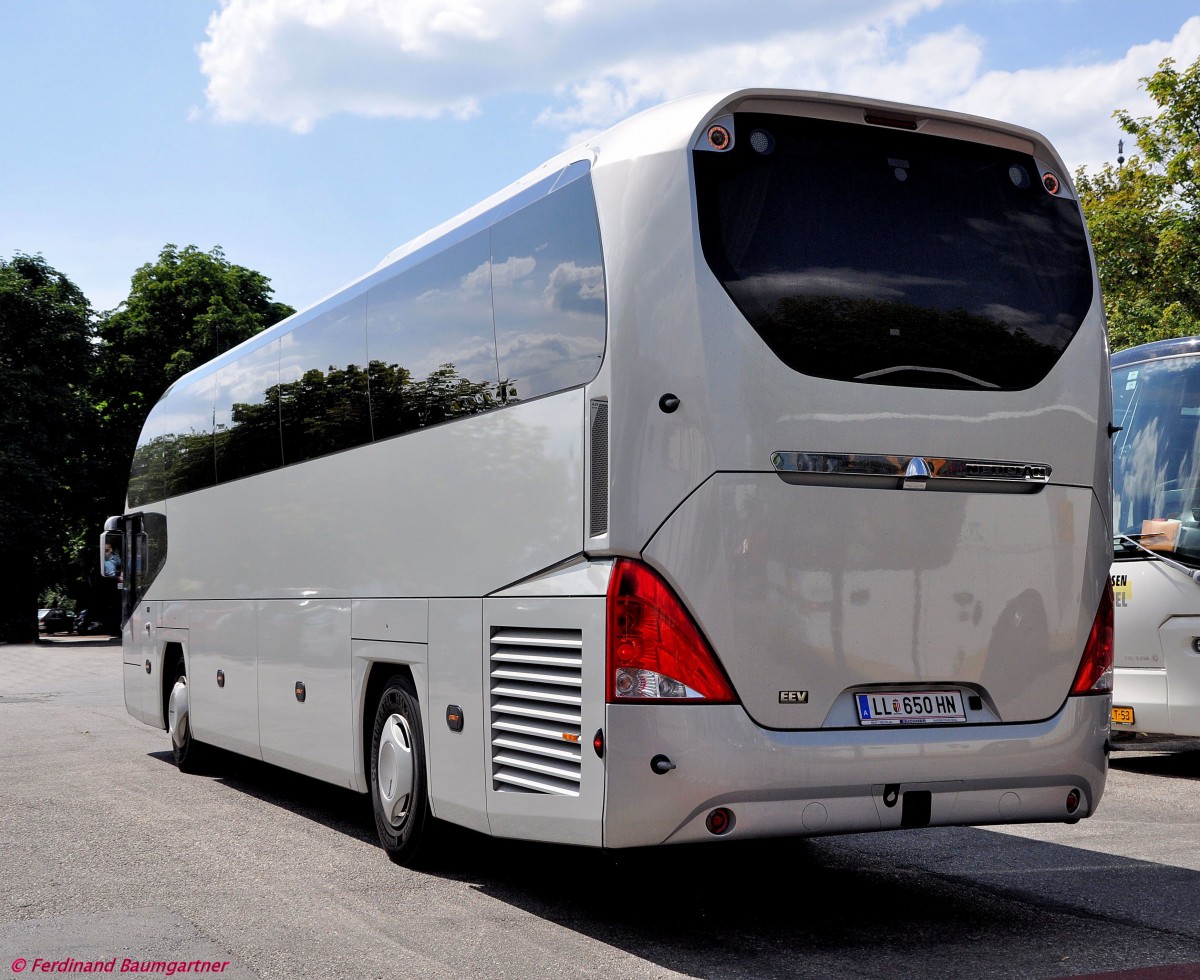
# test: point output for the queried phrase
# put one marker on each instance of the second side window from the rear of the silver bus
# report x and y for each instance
(431, 342)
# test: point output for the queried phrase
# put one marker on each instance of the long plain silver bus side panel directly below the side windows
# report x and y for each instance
(434, 509)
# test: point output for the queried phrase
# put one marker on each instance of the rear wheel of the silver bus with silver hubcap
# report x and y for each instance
(399, 785)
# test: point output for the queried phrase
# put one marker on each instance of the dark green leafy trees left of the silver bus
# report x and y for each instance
(77, 392)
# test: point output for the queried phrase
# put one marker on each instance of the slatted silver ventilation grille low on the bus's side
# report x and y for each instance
(537, 704)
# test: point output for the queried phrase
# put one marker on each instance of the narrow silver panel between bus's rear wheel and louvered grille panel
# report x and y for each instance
(458, 668)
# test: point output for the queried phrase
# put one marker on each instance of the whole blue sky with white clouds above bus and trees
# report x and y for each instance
(309, 139)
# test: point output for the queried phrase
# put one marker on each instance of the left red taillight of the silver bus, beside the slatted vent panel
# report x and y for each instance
(655, 650)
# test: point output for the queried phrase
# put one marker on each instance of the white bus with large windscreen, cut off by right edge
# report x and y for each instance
(1156, 568)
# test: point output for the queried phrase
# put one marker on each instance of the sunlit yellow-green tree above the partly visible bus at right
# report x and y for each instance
(1144, 217)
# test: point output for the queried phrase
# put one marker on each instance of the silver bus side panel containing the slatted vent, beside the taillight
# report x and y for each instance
(547, 704)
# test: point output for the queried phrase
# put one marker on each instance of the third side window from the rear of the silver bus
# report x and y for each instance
(323, 384)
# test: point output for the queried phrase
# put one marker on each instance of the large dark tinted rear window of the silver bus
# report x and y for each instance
(887, 257)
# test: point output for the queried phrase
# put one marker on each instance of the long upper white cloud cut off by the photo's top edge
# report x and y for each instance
(296, 62)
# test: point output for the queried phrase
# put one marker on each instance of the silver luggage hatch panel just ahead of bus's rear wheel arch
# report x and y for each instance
(310, 730)
